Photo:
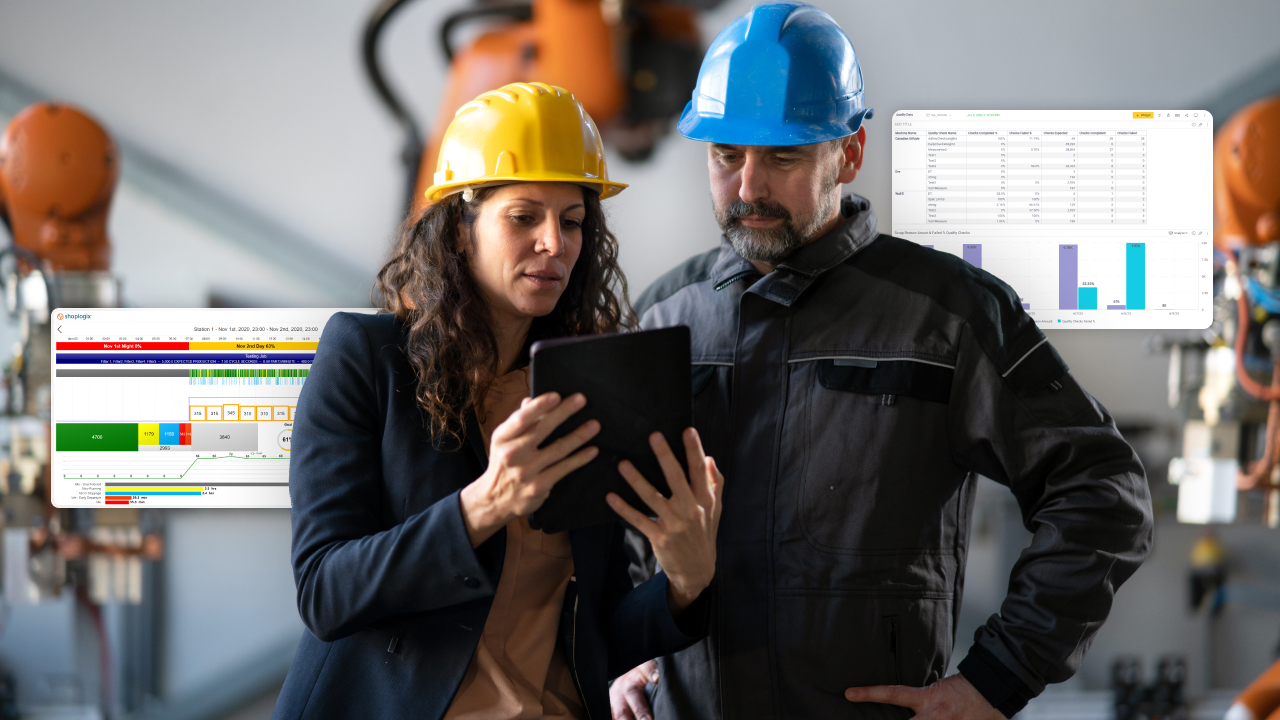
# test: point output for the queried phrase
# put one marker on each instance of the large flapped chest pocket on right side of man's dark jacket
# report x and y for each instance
(879, 475)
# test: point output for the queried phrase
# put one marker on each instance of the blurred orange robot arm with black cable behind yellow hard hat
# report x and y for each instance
(632, 63)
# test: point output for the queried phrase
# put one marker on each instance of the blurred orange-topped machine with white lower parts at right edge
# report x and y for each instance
(1228, 382)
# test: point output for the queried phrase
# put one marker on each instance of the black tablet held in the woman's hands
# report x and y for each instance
(636, 384)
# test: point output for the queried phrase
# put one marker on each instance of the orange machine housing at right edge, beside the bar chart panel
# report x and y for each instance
(1247, 177)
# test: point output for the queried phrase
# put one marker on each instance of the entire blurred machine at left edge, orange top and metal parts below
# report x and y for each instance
(58, 175)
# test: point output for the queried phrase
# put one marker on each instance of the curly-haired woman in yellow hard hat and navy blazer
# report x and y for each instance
(417, 455)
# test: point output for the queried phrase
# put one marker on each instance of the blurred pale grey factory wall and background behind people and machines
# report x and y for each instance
(262, 170)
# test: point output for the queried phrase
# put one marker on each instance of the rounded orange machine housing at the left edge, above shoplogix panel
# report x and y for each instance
(58, 174)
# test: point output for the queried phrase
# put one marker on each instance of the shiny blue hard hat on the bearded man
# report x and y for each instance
(781, 75)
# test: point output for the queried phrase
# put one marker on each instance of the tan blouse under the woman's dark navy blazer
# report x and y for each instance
(519, 671)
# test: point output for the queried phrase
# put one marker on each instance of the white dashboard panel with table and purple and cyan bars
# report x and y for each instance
(1096, 218)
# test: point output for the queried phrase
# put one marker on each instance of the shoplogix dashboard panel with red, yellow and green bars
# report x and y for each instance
(189, 408)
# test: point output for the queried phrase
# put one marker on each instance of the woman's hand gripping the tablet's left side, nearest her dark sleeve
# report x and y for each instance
(520, 476)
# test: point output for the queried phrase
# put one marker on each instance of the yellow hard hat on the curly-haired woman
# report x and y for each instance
(522, 133)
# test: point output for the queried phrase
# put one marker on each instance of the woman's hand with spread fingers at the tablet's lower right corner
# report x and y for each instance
(684, 536)
